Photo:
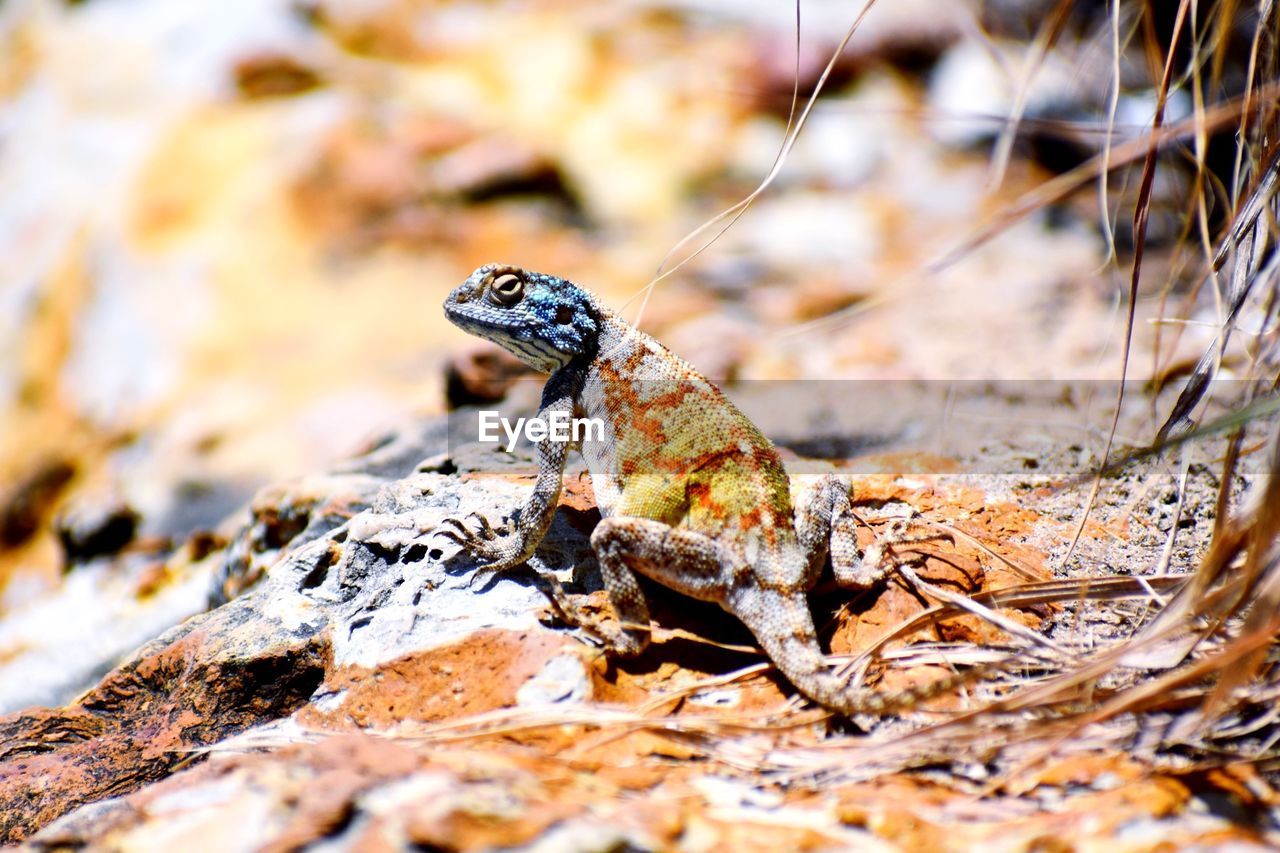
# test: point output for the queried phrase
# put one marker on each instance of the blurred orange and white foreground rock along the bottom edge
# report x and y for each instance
(362, 791)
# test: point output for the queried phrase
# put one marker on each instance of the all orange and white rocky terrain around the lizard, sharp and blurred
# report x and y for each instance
(226, 229)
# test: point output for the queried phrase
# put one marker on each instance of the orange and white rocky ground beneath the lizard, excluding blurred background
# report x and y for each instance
(360, 685)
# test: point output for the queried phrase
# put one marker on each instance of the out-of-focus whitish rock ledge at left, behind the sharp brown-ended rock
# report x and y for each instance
(111, 606)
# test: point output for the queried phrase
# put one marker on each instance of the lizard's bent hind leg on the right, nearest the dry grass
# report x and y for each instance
(826, 524)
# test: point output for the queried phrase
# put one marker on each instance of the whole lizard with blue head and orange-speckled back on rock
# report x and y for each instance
(692, 494)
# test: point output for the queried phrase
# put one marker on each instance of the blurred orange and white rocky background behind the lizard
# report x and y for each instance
(226, 229)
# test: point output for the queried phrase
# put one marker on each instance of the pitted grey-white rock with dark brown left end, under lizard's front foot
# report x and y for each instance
(354, 578)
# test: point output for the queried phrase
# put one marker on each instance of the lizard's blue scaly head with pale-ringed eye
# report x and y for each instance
(543, 321)
